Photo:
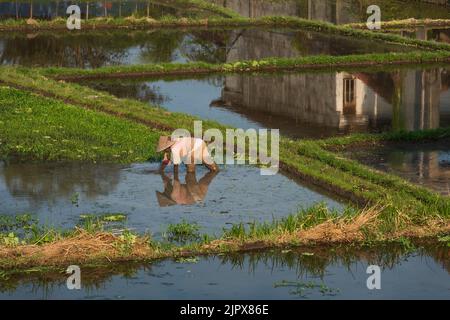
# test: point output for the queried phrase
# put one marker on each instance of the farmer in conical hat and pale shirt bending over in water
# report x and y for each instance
(190, 151)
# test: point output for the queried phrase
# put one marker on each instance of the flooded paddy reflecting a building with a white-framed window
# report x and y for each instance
(312, 105)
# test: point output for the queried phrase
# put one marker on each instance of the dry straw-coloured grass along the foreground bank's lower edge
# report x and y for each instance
(103, 247)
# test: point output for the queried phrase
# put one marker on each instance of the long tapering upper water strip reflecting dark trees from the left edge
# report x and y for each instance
(95, 49)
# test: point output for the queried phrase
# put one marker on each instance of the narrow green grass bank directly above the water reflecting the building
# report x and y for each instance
(264, 65)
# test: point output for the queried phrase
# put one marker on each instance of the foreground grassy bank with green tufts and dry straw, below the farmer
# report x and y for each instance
(314, 226)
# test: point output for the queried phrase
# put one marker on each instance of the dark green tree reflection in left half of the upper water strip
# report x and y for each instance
(95, 49)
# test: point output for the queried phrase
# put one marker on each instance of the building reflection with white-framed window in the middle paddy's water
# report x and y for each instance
(343, 102)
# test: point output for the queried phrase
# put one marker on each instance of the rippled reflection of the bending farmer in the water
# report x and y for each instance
(191, 192)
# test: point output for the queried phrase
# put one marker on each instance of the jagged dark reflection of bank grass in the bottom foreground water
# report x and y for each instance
(312, 260)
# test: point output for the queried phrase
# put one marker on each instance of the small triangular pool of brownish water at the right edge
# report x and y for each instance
(426, 164)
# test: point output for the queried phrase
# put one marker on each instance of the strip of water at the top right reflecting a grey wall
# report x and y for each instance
(339, 11)
